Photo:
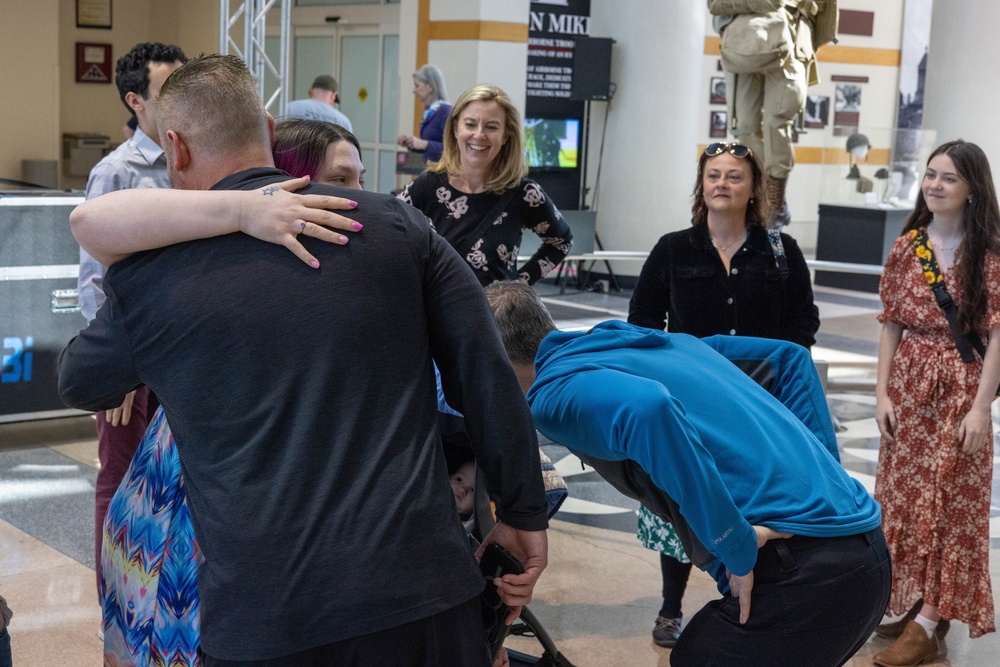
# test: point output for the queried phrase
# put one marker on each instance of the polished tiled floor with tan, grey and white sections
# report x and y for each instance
(597, 600)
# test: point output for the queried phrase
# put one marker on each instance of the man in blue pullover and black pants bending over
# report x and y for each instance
(759, 498)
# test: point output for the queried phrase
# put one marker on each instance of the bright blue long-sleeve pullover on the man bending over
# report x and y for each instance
(730, 453)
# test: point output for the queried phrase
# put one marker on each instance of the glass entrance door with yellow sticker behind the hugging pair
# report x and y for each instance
(365, 62)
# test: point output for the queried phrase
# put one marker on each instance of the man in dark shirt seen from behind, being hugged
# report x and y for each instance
(303, 405)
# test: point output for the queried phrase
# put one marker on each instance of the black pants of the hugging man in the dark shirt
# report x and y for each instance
(453, 637)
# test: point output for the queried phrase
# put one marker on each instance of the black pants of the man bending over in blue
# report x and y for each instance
(814, 603)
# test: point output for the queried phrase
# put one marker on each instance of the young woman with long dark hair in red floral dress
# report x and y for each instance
(933, 407)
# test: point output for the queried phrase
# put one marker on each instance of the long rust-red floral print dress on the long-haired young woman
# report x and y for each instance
(935, 499)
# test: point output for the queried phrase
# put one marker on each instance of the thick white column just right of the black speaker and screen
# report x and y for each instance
(648, 169)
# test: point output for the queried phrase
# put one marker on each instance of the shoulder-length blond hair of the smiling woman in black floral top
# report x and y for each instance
(510, 165)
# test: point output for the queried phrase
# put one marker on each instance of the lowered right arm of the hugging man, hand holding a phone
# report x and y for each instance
(479, 382)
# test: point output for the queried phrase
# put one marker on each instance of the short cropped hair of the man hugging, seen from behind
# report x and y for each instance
(212, 101)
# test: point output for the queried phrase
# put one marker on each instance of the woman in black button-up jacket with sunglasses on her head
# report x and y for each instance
(719, 276)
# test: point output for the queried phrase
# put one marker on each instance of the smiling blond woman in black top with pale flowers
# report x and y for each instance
(478, 197)
